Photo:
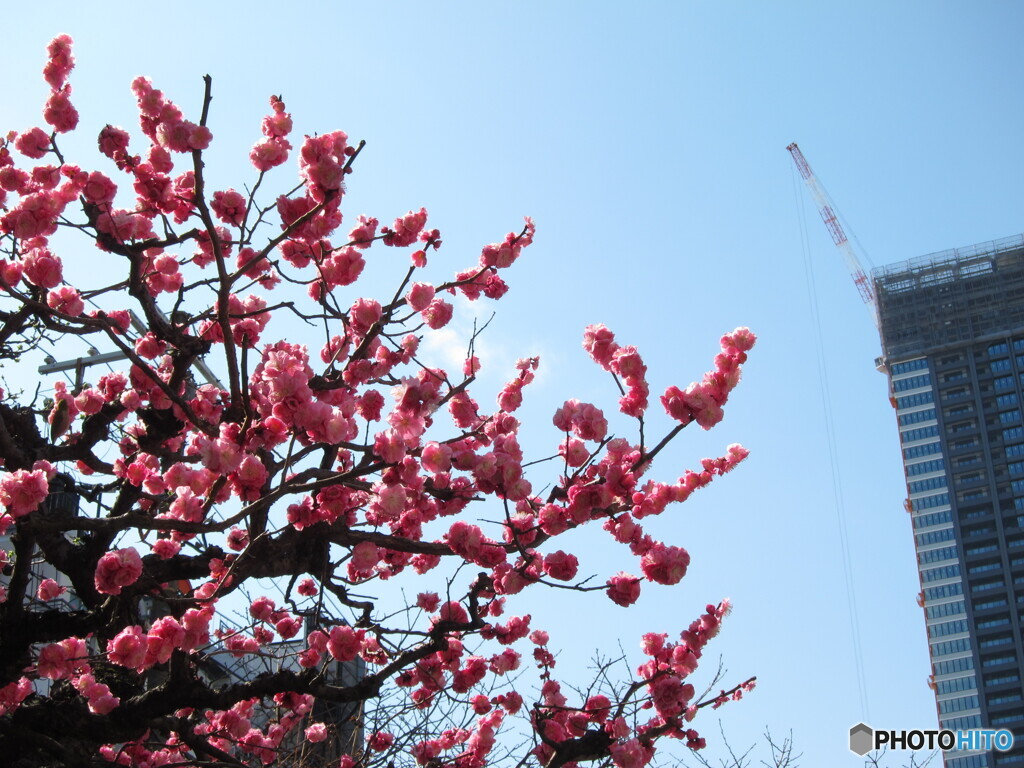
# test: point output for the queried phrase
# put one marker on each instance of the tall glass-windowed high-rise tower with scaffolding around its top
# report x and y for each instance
(953, 339)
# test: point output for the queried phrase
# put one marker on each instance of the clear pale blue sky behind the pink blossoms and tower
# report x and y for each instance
(649, 143)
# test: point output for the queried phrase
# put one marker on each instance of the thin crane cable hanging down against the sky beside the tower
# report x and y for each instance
(837, 478)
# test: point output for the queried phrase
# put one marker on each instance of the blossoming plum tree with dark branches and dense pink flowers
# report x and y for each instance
(323, 468)
